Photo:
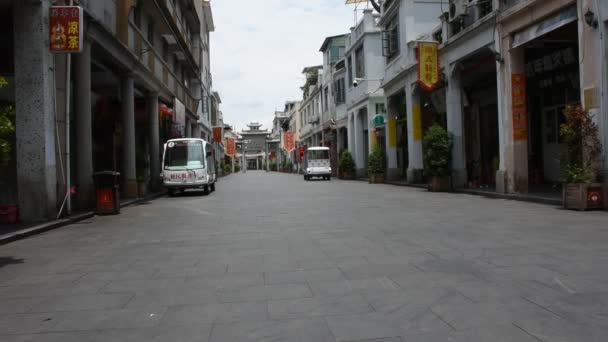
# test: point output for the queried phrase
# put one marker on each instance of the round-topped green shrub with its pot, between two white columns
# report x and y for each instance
(437, 151)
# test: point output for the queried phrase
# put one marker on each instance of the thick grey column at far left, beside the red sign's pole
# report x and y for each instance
(35, 117)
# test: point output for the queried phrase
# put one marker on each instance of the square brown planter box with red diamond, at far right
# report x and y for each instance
(583, 196)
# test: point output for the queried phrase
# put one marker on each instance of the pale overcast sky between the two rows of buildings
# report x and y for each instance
(260, 47)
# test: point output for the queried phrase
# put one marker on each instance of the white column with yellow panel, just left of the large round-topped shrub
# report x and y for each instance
(414, 135)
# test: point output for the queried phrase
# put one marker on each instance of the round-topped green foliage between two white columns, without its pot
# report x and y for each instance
(437, 150)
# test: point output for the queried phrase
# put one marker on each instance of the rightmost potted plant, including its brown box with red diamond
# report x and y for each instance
(581, 160)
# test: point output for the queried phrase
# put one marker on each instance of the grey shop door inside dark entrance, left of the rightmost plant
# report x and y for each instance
(552, 146)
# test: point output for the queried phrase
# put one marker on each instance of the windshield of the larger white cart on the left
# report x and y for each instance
(184, 154)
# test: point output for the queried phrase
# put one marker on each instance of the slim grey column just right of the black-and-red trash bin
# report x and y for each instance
(128, 122)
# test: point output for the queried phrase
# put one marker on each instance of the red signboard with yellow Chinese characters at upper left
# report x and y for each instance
(65, 29)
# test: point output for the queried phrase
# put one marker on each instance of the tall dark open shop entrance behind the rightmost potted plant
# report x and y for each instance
(552, 83)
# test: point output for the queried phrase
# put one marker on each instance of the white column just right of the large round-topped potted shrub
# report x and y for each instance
(455, 127)
